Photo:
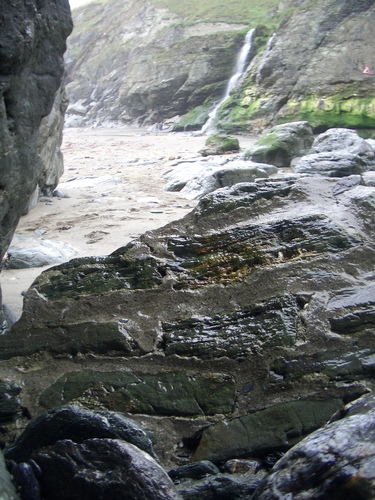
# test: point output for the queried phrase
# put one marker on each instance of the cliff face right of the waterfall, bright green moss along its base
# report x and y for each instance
(312, 70)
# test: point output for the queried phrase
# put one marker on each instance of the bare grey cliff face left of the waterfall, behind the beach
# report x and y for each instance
(133, 61)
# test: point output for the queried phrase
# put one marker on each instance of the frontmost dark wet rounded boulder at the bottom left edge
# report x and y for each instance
(101, 468)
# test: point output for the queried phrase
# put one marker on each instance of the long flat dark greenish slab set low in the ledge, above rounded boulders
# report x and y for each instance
(172, 393)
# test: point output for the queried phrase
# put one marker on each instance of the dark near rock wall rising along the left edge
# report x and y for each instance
(32, 102)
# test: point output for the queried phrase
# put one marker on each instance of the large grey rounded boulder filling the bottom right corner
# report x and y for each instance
(335, 461)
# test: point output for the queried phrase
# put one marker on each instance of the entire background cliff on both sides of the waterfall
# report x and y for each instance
(147, 61)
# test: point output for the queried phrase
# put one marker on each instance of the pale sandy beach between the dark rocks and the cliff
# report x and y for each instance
(113, 180)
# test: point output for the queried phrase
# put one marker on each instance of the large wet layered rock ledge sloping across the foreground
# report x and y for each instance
(260, 300)
